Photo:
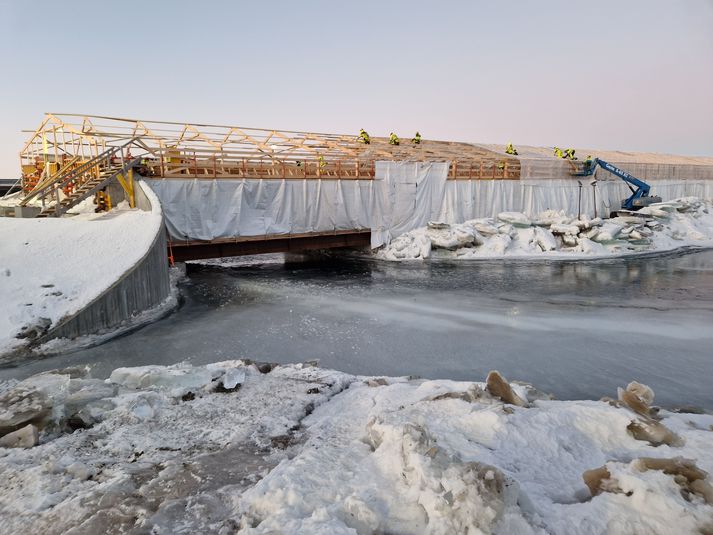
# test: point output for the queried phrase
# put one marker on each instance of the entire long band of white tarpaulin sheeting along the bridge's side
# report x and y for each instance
(402, 197)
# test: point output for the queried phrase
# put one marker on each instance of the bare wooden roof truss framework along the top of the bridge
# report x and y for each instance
(209, 151)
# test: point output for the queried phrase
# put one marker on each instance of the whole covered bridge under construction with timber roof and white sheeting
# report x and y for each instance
(228, 190)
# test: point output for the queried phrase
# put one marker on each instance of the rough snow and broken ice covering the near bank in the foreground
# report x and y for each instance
(258, 448)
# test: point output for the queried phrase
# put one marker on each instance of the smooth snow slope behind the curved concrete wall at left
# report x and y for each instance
(51, 268)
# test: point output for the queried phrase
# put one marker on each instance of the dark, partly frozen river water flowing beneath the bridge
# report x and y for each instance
(576, 329)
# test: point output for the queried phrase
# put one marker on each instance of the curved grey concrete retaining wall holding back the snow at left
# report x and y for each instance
(144, 286)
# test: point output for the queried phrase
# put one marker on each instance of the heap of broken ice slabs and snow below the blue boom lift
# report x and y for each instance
(685, 222)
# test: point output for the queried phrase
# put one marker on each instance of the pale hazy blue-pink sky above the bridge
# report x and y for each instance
(635, 75)
